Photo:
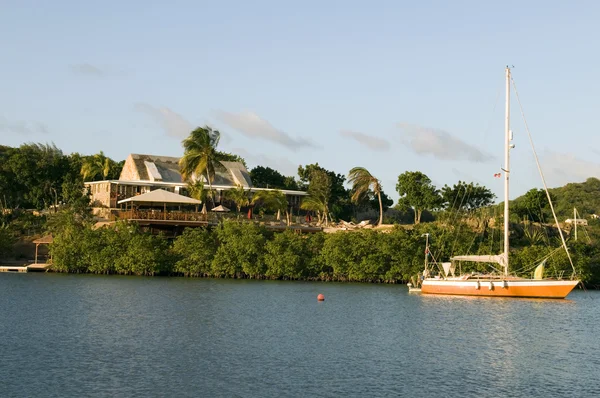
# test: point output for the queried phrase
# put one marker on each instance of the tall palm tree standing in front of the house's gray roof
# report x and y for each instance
(200, 156)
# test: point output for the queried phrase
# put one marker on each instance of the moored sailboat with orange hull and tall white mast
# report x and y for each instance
(503, 284)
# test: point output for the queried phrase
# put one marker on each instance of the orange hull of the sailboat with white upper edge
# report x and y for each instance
(530, 288)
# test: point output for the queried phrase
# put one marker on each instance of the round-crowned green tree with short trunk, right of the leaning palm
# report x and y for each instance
(417, 191)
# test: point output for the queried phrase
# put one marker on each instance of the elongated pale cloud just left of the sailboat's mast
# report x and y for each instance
(441, 144)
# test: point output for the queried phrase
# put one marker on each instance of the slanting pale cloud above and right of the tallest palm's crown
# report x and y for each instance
(253, 126)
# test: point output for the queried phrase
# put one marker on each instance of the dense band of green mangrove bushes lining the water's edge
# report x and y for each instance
(247, 250)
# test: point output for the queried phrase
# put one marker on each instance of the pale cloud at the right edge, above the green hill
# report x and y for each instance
(563, 168)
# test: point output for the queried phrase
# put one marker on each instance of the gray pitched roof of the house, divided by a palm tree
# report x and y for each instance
(166, 169)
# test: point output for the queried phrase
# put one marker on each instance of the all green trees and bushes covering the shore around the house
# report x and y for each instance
(40, 176)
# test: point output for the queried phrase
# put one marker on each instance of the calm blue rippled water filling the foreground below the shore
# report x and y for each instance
(73, 335)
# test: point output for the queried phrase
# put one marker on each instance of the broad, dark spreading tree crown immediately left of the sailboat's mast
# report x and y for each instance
(463, 196)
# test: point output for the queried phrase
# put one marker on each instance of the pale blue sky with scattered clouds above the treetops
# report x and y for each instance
(391, 86)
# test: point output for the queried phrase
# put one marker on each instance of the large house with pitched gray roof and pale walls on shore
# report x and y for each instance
(145, 173)
